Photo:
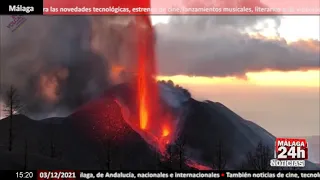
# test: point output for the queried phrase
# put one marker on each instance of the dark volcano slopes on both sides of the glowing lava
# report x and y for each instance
(97, 137)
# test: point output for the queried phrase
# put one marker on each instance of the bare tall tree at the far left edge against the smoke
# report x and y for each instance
(13, 106)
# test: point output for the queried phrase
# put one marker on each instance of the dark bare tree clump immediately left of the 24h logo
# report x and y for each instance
(259, 159)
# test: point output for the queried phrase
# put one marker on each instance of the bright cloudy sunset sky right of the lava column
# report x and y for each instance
(264, 68)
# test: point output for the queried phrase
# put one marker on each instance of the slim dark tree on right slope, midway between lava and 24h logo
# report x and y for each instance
(219, 161)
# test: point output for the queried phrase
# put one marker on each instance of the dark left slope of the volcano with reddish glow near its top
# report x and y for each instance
(94, 137)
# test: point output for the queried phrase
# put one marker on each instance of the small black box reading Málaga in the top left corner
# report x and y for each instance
(21, 7)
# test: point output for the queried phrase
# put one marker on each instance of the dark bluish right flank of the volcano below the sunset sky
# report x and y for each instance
(211, 128)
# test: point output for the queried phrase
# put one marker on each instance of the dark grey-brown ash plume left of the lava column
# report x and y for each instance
(59, 63)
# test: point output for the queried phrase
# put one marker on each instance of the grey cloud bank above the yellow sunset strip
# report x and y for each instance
(217, 46)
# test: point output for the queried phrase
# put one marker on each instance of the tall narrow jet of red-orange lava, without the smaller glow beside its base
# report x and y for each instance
(147, 86)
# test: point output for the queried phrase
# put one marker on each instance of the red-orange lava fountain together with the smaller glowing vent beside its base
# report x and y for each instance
(152, 118)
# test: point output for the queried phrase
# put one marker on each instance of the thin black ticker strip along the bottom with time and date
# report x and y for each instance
(73, 175)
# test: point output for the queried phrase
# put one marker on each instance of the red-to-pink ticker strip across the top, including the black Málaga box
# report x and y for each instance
(161, 7)
